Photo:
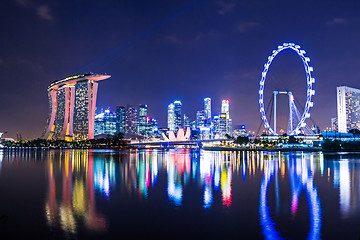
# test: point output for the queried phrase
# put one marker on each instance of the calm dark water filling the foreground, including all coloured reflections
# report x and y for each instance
(178, 194)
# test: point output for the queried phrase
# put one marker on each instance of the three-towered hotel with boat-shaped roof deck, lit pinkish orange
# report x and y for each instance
(72, 103)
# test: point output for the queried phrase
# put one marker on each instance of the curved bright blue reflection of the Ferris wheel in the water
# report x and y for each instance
(301, 179)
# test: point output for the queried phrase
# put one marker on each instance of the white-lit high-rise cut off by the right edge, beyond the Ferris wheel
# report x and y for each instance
(348, 108)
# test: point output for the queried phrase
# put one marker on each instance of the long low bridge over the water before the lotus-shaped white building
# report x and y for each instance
(168, 144)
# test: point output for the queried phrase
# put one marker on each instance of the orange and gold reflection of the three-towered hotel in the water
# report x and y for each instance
(71, 190)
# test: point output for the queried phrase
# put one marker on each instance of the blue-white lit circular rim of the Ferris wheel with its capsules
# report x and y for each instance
(309, 89)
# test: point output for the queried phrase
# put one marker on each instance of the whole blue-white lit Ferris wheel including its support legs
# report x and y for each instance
(296, 123)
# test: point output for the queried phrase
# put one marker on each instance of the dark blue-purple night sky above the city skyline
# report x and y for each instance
(161, 51)
